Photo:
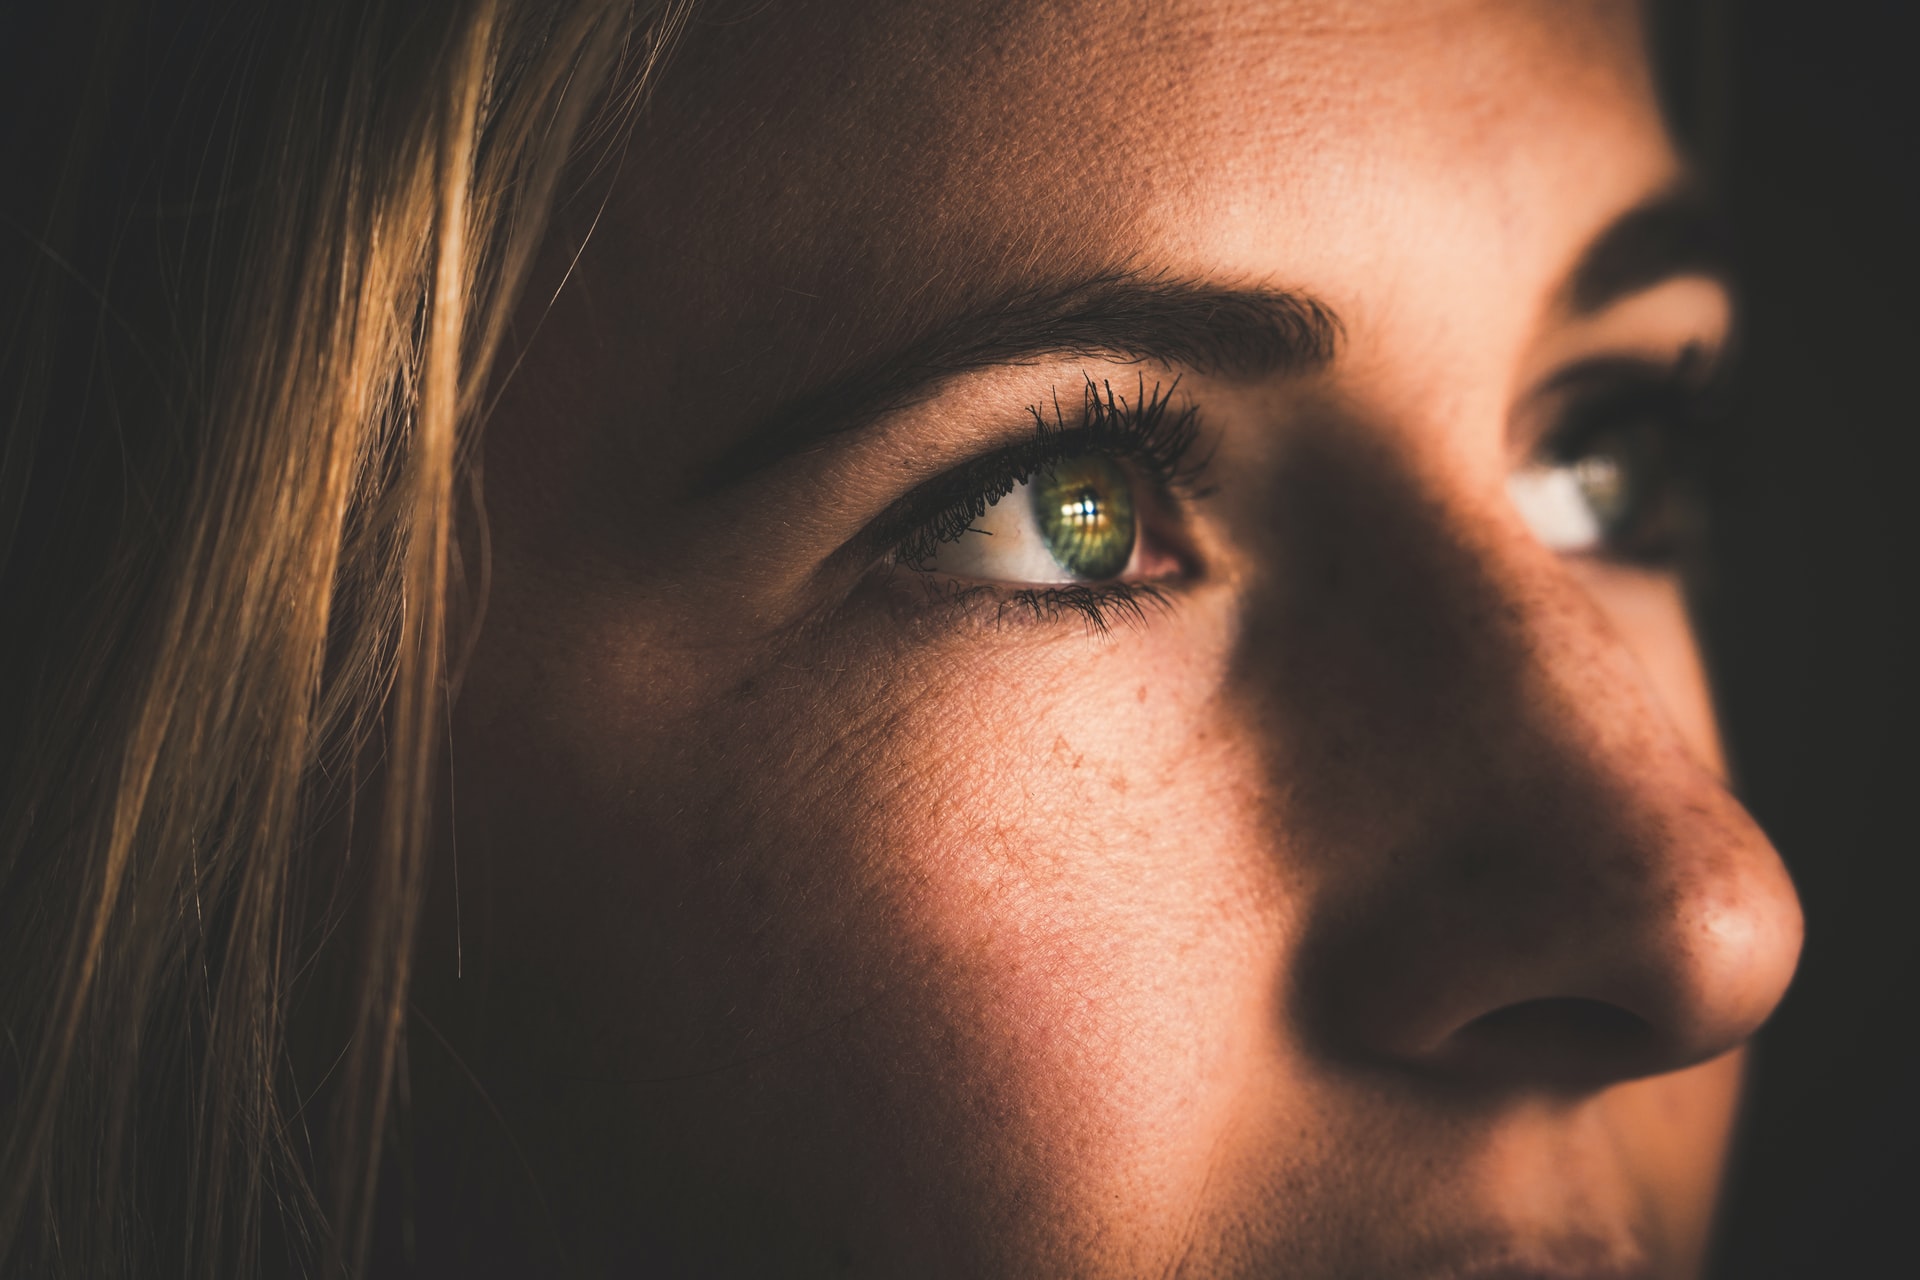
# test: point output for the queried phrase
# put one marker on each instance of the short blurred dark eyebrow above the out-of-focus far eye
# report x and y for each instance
(1673, 235)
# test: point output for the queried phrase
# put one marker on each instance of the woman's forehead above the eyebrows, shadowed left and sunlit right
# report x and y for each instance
(821, 178)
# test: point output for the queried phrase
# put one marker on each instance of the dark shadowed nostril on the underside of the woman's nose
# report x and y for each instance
(1568, 1043)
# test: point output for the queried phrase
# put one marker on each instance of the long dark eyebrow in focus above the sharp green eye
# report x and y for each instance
(1241, 333)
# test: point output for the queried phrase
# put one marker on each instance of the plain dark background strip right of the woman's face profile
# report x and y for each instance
(1806, 118)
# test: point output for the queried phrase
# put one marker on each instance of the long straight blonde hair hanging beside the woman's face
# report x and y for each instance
(258, 273)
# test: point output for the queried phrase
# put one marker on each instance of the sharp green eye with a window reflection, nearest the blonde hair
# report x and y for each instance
(1074, 523)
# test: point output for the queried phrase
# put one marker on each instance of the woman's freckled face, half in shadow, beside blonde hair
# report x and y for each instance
(1084, 671)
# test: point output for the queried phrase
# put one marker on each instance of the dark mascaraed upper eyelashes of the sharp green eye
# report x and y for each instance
(1145, 431)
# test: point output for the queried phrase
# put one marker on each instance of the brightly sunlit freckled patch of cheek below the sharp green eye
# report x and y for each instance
(1082, 932)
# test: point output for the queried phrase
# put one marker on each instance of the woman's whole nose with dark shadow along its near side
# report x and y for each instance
(1520, 870)
